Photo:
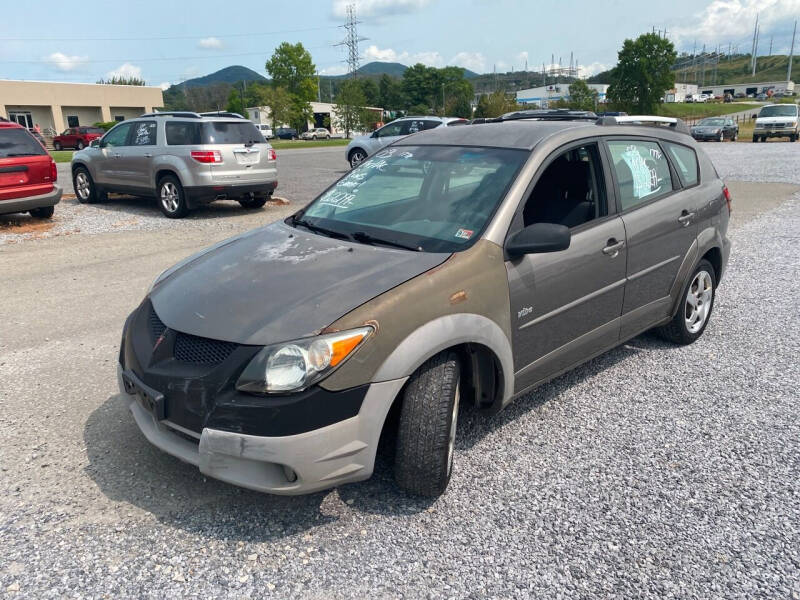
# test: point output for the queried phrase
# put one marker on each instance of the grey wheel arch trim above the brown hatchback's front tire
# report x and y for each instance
(445, 332)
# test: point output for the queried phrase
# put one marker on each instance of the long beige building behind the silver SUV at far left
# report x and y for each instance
(56, 106)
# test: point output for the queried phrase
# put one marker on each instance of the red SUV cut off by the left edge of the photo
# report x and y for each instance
(27, 173)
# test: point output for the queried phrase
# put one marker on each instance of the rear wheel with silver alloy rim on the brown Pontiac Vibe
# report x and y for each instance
(697, 302)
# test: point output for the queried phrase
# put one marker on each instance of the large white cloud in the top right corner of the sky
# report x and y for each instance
(723, 20)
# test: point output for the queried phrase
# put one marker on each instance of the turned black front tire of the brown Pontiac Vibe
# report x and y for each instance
(428, 418)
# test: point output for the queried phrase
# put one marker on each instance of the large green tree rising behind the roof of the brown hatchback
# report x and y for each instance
(642, 74)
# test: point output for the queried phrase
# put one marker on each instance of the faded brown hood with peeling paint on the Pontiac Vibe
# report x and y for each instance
(278, 283)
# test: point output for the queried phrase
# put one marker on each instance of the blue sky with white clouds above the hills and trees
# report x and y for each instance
(169, 41)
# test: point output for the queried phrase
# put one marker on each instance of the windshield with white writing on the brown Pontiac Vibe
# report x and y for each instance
(431, 198)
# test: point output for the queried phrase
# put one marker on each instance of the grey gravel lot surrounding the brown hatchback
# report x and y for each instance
(652, 471)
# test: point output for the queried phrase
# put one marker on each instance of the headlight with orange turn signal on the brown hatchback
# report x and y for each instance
(295, 366)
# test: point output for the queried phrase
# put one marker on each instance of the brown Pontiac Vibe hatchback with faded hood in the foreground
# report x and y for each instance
(459, 265)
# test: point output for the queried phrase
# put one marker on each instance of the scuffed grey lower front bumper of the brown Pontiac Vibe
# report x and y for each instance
(319, 459)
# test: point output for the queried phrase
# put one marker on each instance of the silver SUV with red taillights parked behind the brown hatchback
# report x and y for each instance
(182, 158)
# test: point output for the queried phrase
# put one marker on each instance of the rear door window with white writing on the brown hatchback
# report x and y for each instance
(642, 171)
